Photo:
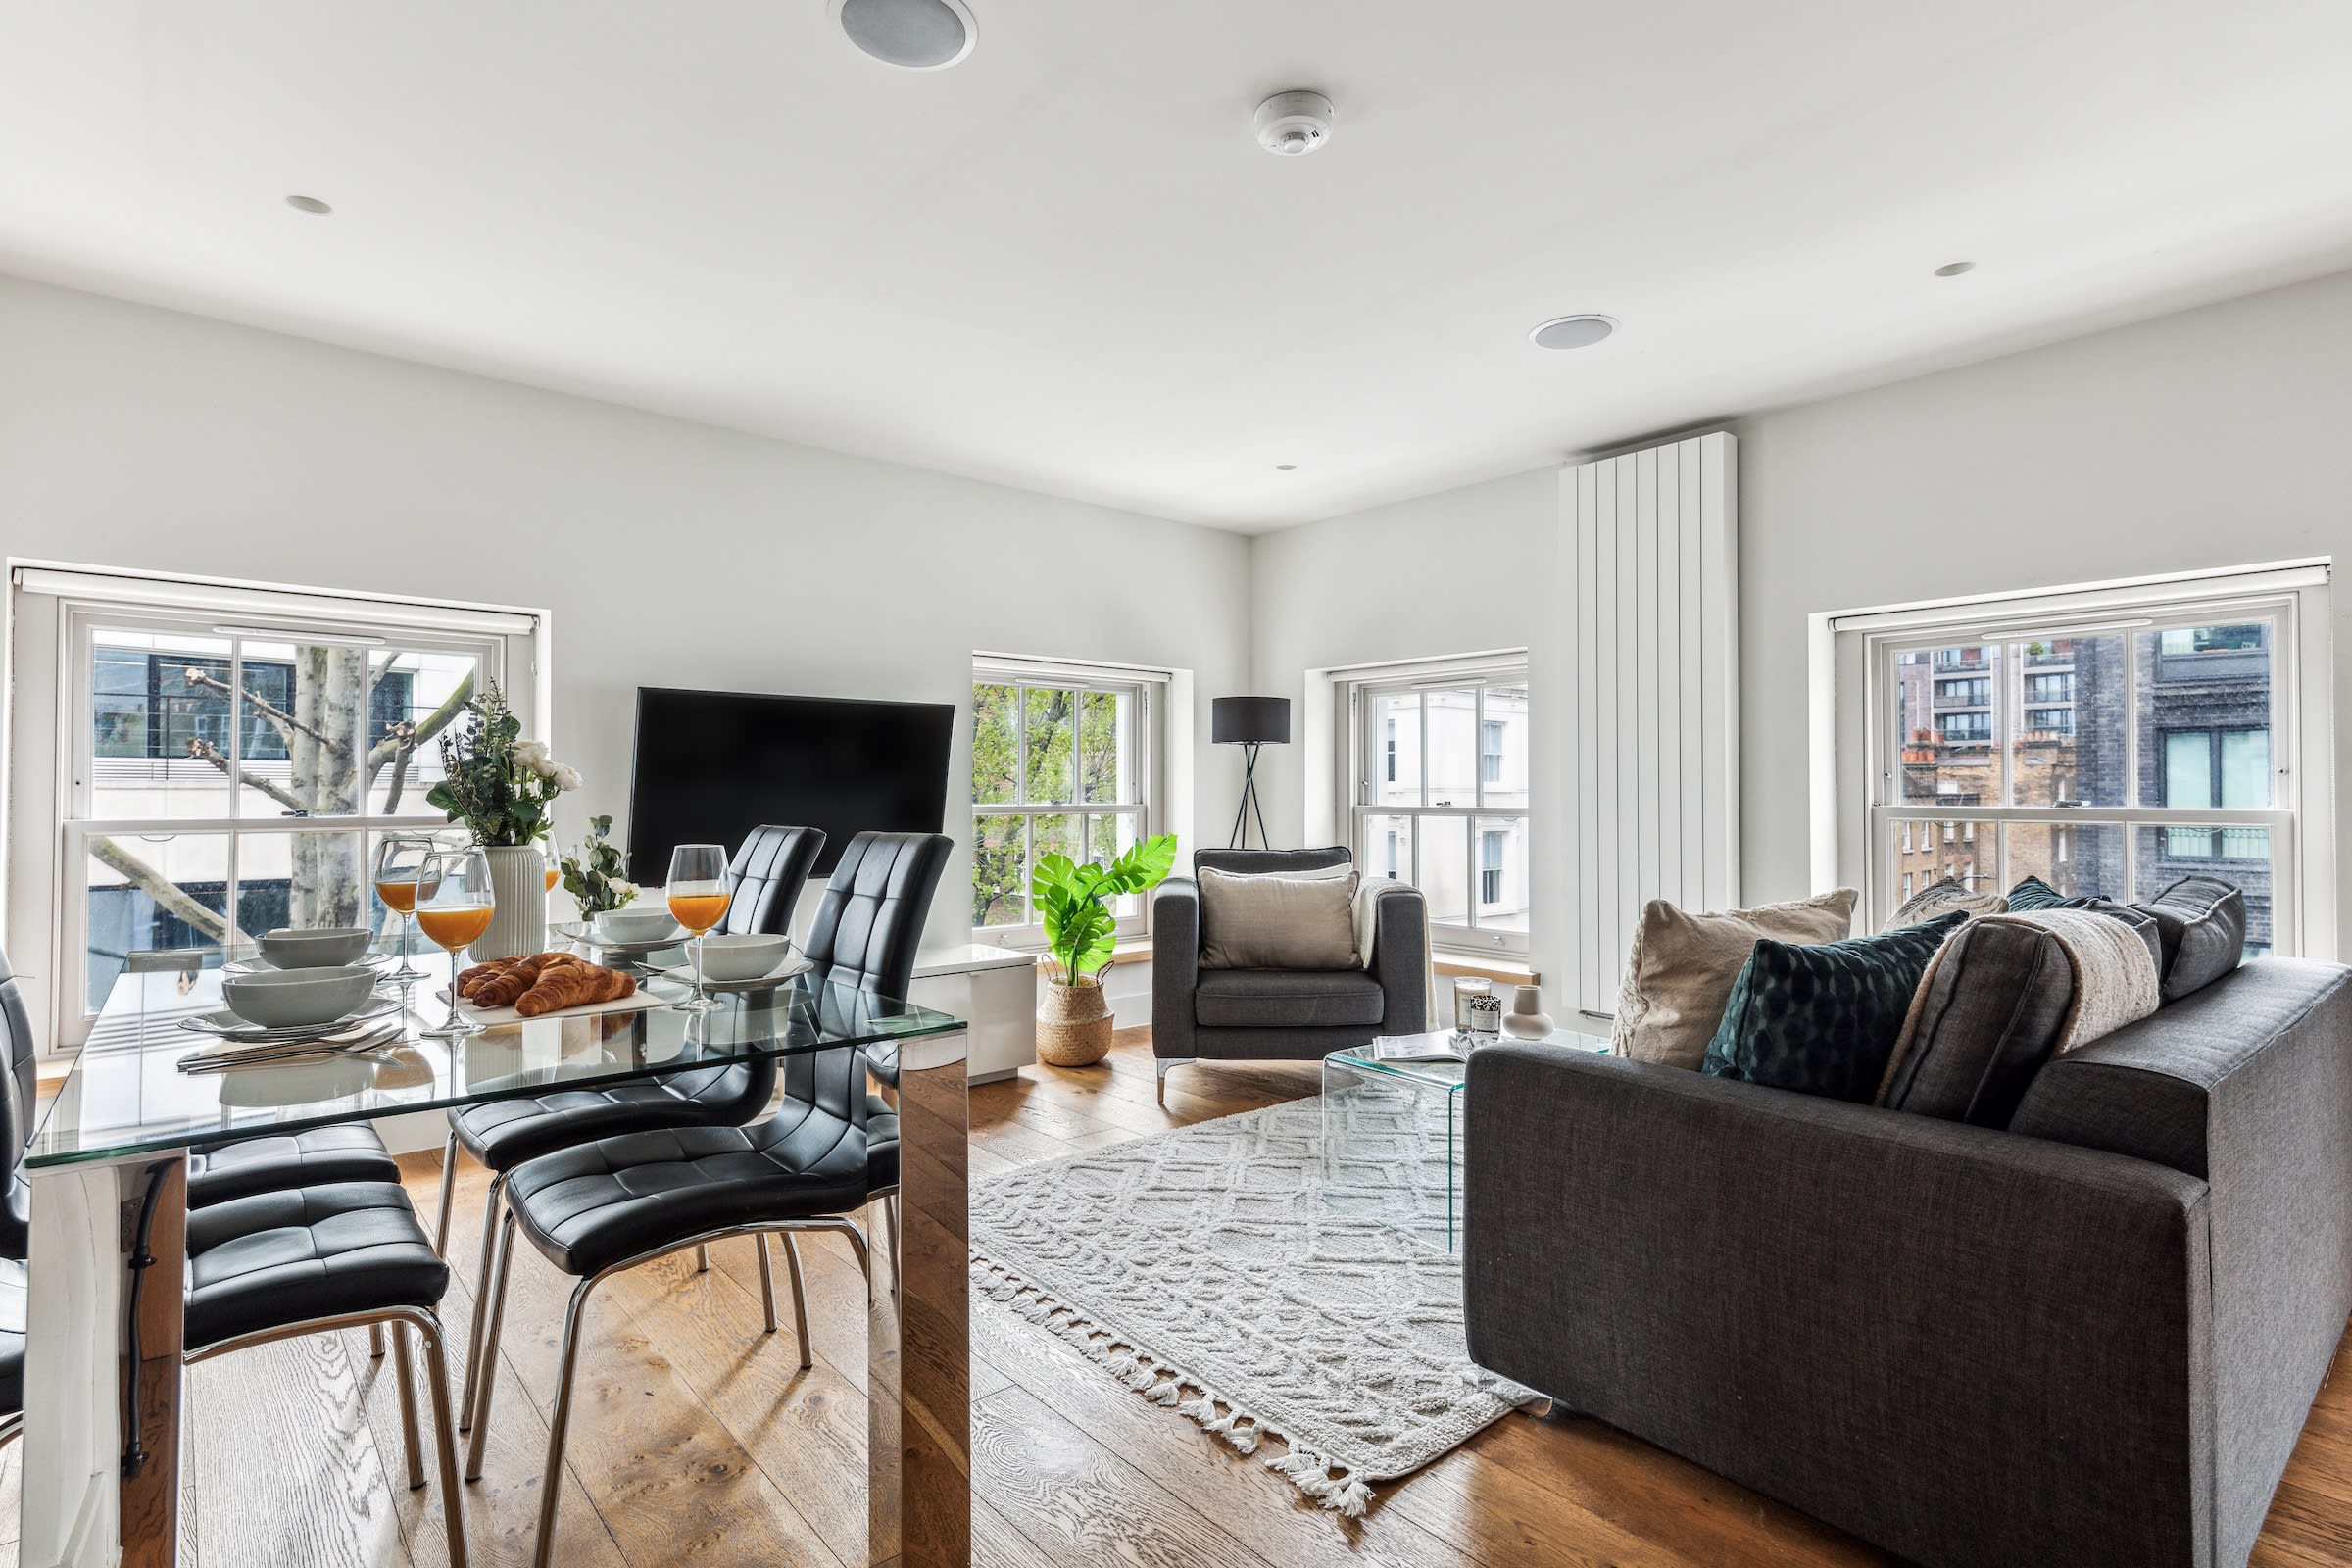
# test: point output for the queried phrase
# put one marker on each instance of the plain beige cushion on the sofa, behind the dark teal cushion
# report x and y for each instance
(1683, 965)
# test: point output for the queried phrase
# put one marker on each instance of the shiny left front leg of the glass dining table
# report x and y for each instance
(81, 1506)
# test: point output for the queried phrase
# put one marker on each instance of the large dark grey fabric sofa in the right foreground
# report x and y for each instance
(2090, 1339)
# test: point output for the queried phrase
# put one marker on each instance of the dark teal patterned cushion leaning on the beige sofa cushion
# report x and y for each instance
(1824, 1019)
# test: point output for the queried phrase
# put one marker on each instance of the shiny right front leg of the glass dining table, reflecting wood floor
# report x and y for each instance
(918, 1343)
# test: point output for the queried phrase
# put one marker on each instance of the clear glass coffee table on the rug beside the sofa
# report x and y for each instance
(1394, 1139)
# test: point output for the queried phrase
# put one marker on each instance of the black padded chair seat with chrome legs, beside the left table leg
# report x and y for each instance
(279, 1266)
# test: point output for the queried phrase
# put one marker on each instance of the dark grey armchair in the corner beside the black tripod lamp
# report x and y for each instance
(1281, 1014)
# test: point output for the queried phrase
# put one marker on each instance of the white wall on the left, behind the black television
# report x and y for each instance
(669, 554)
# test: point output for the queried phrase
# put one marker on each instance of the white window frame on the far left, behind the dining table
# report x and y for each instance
(53, 728)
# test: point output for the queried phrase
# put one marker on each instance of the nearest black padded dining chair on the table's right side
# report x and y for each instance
(615, 1205)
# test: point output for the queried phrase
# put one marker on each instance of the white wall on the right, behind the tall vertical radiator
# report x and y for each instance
(2210, 438)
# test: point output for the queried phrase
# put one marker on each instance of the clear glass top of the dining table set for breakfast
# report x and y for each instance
(128, 1097)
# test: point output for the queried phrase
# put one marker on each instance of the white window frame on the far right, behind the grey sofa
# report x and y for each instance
(1857, 732)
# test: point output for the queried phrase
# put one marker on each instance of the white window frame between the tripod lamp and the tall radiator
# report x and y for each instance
(1365, 760)
